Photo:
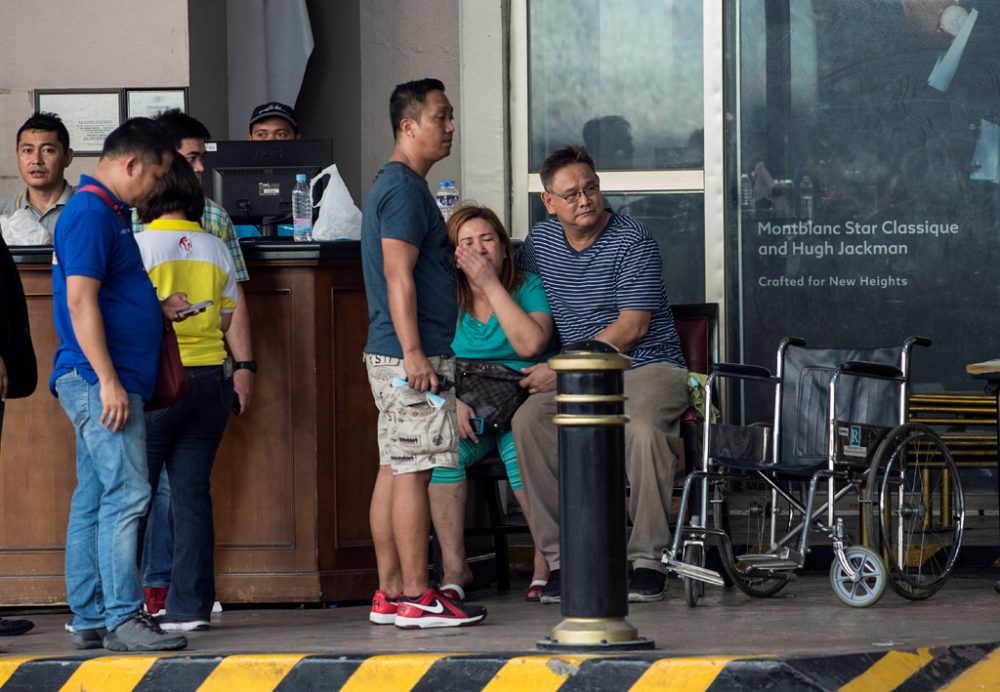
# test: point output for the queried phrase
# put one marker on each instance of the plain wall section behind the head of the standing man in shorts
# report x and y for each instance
(400, 41)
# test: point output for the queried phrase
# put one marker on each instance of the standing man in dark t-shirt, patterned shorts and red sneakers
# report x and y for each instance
(412, 308)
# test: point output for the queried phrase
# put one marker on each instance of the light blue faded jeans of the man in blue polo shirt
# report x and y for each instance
(111, 496)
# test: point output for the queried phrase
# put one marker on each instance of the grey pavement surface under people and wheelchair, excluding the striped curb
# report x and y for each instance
(804, 618)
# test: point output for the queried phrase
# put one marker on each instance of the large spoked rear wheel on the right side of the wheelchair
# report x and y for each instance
(917, 504)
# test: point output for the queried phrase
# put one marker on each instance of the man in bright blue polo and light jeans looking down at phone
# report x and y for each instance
(109, 322)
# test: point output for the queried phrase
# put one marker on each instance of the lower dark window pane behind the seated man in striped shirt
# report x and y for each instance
(677, 223)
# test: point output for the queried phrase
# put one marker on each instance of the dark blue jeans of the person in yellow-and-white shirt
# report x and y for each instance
(184, 438)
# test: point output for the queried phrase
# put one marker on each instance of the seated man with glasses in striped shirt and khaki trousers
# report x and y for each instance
(603, 278)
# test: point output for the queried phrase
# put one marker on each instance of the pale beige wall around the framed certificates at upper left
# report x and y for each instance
(59, 44)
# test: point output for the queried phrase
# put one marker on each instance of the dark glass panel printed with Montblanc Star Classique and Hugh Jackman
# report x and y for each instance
(869, 178)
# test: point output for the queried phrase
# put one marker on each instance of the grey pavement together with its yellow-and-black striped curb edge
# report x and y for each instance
(802, 638)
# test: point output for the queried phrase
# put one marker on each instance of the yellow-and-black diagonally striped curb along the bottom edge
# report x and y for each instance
(971, 667)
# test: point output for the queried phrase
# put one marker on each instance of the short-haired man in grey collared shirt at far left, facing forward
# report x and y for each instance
(43, 153)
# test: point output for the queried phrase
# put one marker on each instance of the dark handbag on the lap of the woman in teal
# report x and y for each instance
(493, 391)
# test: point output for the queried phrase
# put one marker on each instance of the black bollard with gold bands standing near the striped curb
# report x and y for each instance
(591, 419)
